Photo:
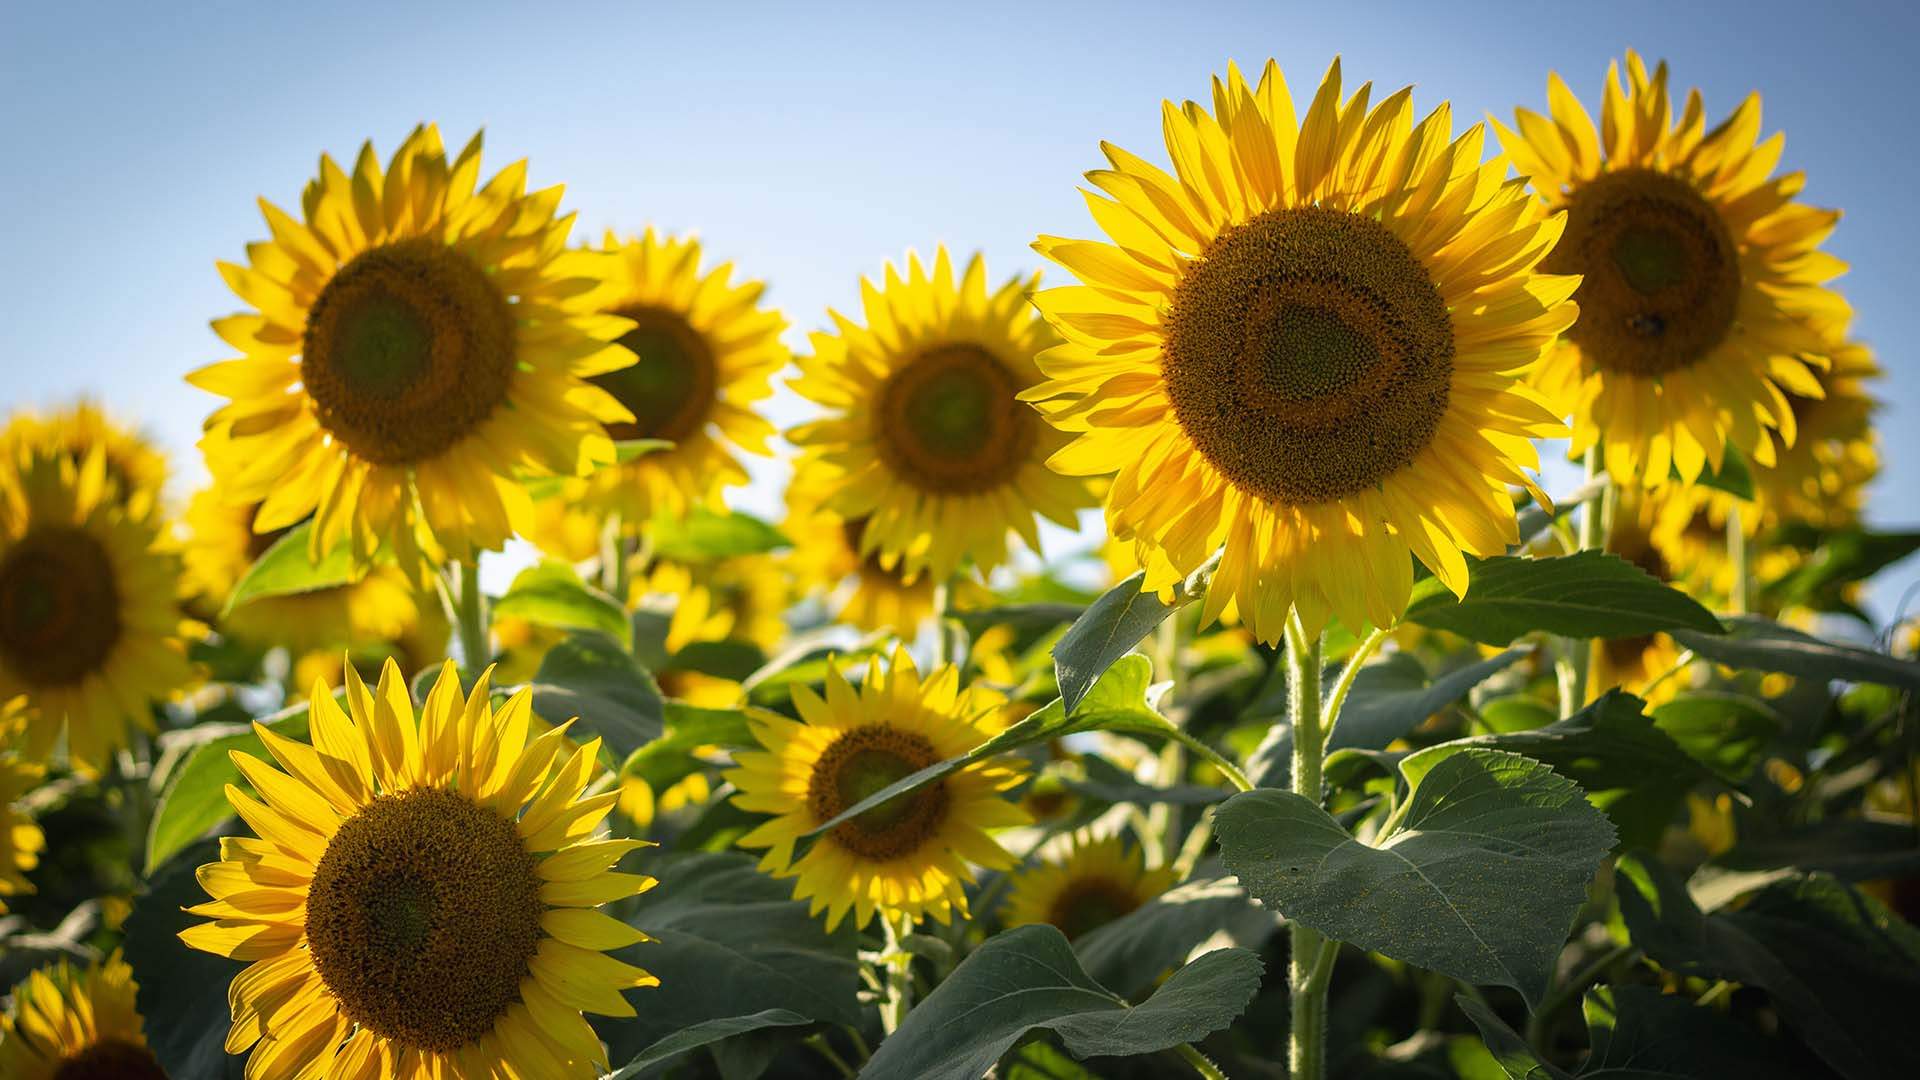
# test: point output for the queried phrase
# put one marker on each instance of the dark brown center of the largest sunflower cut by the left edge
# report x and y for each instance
(59, 606)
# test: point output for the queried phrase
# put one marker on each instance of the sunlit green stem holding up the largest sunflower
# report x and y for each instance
(1308, 964)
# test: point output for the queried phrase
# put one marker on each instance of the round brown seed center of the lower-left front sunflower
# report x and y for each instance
(423, 918)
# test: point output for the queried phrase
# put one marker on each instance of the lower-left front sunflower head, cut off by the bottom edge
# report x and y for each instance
(421, 900)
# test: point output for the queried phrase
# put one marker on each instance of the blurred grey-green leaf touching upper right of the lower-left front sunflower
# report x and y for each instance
(594, 679)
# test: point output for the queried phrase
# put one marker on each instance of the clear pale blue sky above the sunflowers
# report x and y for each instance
(807, 141)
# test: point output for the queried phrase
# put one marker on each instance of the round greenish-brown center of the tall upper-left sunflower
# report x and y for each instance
(408, 351)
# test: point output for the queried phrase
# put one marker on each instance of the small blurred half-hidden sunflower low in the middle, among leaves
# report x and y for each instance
(1084, 885)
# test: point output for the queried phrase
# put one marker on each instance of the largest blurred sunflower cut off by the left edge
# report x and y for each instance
(91, 631)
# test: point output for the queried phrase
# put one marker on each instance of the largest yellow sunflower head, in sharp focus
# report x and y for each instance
(1305, 349)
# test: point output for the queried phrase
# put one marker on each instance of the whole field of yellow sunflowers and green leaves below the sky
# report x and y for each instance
(1320, 739)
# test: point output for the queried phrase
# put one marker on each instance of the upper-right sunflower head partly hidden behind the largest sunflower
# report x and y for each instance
(1704, 293)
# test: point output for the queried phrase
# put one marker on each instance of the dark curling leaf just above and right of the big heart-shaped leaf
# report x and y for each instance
(1623, 762)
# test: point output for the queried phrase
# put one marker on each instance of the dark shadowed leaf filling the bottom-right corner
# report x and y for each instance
(1842, 970)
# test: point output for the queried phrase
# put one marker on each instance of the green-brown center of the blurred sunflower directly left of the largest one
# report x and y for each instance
(949, 422)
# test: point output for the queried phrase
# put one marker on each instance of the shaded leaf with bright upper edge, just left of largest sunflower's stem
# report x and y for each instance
(1134, 952)
